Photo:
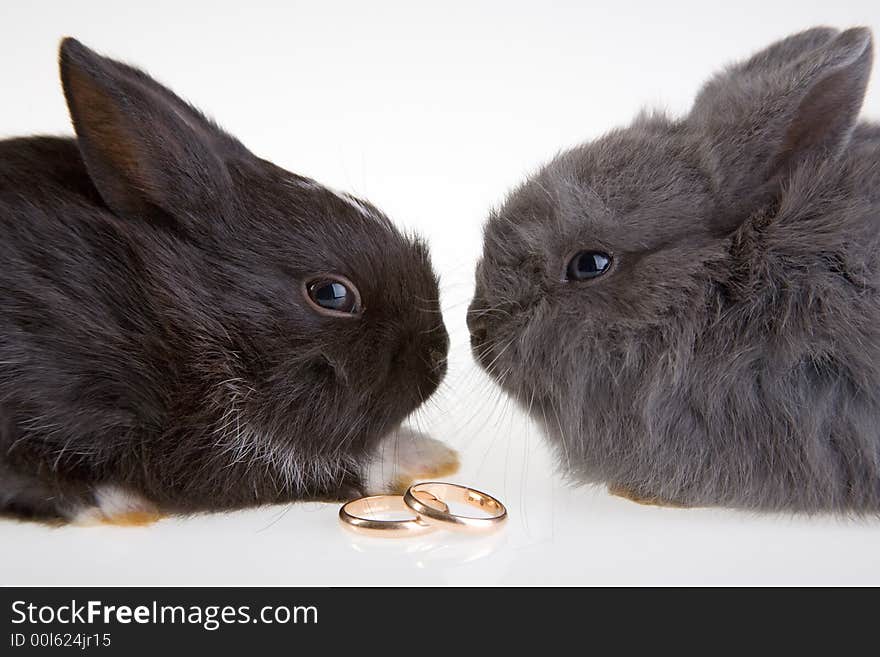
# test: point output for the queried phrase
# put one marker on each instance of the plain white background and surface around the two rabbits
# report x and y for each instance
(432, 111)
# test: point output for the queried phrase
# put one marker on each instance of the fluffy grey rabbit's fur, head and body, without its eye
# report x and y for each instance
(730, 355)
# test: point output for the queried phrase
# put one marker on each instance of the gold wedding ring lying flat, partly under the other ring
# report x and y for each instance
(360, 515)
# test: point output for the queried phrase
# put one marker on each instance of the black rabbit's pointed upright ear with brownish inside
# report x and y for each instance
(148, 152)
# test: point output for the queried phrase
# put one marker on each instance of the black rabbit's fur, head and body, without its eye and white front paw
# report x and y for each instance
(157, 348)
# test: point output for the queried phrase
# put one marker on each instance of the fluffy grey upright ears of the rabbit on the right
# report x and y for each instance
(797, 100)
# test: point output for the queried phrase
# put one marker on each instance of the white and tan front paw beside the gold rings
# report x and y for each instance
(407, 456)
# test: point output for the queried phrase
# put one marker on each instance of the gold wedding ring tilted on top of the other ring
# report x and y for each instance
(438, 516)
